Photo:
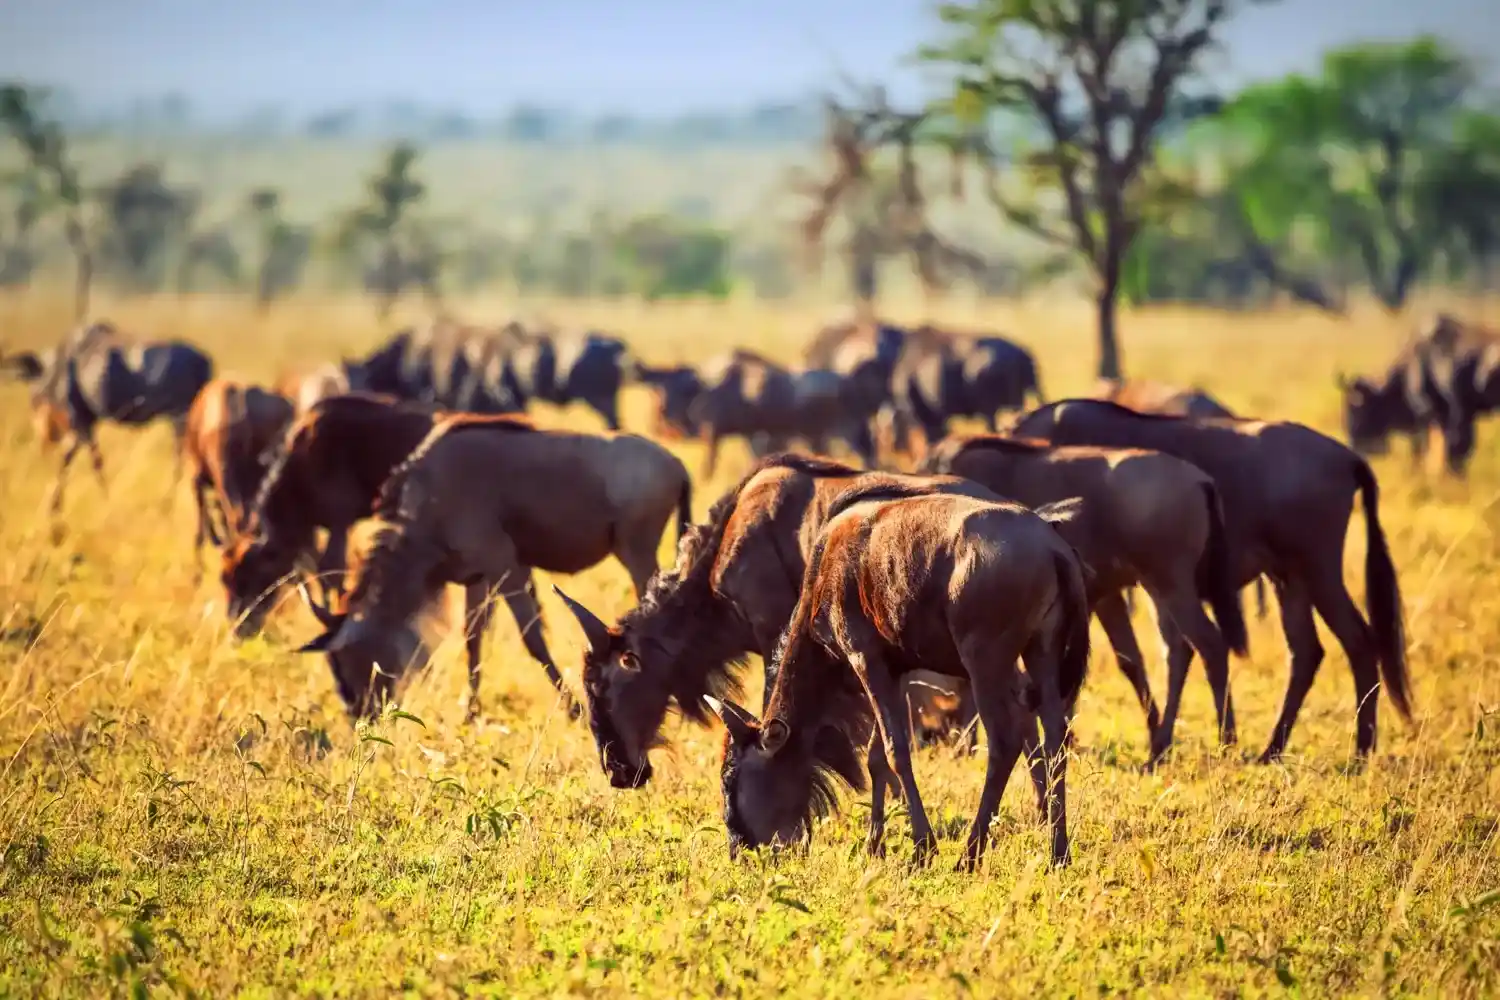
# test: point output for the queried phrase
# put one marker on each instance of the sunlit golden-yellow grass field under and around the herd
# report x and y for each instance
(179, 815)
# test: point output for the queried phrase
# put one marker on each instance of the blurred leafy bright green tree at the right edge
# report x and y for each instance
(1379, 163)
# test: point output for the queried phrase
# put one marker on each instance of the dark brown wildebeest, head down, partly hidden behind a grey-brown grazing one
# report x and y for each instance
(328, 475)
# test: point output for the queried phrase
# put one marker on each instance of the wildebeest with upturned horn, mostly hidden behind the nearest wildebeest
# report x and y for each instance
(730, 594)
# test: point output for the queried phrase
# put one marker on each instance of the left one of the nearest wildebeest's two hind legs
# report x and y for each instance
(1006, 725)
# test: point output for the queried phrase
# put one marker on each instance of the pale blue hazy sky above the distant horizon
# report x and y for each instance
(644, 56)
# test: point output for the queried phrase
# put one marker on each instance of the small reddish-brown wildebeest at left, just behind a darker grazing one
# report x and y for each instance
(232, 430)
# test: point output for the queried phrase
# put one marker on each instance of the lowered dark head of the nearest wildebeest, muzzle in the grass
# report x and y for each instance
(767, 780)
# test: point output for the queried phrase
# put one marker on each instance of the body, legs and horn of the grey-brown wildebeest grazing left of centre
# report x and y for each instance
(484, 504)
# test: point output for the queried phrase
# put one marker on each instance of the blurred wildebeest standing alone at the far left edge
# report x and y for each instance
(101, 376)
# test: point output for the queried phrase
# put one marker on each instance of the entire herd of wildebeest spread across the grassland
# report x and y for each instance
(962, 587)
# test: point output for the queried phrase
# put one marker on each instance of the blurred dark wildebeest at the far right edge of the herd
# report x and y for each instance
(1444, 379)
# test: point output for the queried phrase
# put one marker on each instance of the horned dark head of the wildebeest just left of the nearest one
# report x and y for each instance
(626, 705)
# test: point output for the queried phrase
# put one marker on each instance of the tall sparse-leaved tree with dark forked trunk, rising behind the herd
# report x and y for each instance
(1093, 88)
